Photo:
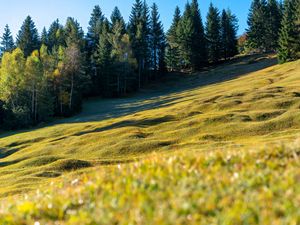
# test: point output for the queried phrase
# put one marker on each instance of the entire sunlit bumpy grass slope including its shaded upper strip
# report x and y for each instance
(216, 147)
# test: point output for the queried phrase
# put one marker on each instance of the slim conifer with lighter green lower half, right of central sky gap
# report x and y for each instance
(172, 50)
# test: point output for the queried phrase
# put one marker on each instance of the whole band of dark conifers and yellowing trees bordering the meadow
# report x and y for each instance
(48, 75)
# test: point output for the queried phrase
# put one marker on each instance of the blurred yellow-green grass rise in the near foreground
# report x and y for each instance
(217, 187)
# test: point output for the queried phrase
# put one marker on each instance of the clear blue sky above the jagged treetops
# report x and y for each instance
(44, 12)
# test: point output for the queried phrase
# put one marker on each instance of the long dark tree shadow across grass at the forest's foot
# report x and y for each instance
(158, 96)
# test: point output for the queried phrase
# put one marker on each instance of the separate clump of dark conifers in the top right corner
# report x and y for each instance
(274, 26)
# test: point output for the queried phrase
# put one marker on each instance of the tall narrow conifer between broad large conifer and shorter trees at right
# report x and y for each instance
(213, 34)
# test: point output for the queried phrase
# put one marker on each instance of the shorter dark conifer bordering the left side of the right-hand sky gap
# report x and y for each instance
(229, 27)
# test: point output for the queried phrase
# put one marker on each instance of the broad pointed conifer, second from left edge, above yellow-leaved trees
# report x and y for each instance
(28, 37)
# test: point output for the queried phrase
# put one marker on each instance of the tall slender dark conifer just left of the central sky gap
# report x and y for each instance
(157, 40)
